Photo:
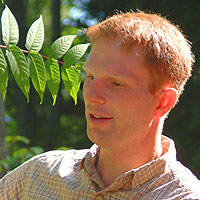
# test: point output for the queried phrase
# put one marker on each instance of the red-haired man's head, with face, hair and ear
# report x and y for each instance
(137, 64)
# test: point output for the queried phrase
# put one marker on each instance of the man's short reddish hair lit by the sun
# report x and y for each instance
(167, 52)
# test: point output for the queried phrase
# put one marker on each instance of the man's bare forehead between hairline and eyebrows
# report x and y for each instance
(108, 57)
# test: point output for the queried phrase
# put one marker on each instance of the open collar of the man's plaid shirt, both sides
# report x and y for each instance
(143, 174)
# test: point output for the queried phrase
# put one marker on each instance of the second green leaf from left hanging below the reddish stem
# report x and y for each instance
(19, 68)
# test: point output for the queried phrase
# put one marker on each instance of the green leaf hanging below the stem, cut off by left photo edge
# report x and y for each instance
(3, 75)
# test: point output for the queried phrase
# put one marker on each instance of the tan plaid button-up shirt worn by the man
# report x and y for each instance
(71, 175)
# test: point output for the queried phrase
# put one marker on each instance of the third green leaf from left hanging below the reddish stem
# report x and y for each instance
(37, 72)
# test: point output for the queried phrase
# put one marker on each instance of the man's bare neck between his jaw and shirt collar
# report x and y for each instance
(112, 164)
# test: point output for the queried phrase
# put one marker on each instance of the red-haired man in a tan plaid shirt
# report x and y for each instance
(136, 71)
